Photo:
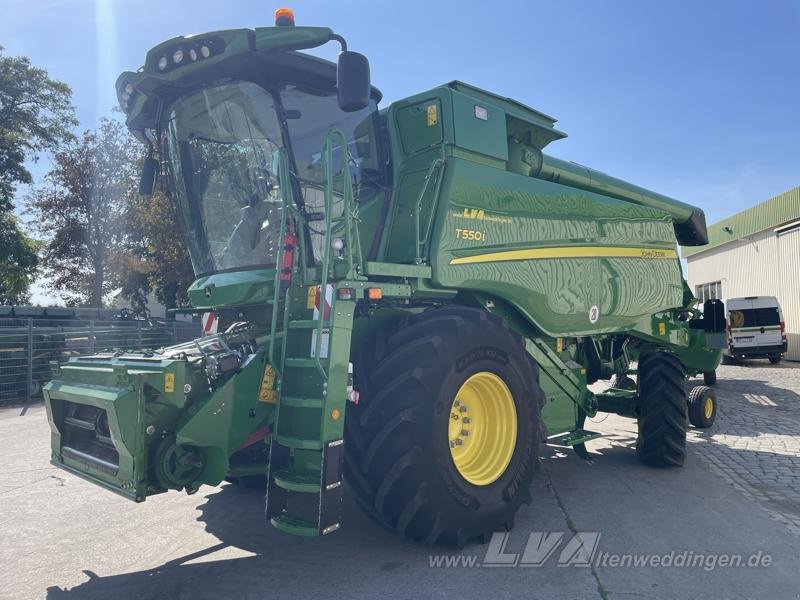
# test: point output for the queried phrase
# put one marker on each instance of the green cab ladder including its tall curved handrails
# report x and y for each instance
(304, 478)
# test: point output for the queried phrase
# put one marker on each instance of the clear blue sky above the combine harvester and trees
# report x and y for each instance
(695, 100)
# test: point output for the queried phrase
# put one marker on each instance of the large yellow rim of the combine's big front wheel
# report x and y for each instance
(483, 428)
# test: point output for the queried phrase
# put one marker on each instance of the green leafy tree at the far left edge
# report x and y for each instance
(36, 115)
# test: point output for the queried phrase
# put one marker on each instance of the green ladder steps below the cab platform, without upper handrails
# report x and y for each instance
(305, 491)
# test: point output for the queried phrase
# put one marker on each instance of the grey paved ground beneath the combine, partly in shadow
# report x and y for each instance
(603, 529)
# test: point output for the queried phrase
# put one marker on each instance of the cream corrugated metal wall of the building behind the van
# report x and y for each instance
(763, 264)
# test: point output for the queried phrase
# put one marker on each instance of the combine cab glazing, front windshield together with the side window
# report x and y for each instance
(222, 145)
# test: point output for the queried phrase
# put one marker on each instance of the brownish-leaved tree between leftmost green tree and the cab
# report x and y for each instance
(83, 213)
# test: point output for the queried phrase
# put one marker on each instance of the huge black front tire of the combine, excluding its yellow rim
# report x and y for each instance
(397, 451)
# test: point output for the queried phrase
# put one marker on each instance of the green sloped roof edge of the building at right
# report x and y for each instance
(770, 213)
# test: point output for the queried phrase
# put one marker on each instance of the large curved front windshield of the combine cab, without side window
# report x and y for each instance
(222, 145)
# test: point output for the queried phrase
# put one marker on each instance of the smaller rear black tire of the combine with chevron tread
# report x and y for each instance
(662, 410)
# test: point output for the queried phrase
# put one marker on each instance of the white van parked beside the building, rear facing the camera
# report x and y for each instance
(756, 328)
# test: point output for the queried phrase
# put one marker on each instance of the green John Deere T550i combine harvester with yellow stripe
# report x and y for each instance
(411, 299)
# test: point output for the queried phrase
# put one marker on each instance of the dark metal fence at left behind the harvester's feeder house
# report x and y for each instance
(27, 346)
